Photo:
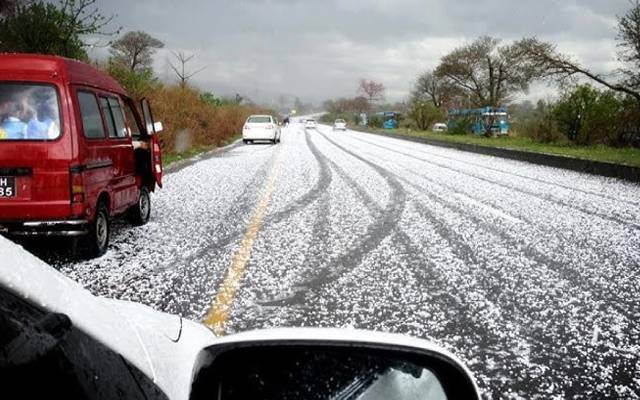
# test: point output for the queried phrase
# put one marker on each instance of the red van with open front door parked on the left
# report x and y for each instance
(74, 151)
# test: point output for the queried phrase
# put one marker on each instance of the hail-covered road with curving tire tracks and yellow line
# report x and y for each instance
(530, 274)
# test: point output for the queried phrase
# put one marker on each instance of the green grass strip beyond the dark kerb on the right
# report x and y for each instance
(625, 155)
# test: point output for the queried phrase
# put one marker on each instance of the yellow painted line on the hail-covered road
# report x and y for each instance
(218, 314)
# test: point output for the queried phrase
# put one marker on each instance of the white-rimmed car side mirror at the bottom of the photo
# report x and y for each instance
(329, 364)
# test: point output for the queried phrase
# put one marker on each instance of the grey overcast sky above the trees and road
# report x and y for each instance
(319, 49)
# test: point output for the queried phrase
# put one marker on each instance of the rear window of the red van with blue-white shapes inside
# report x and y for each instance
(29, 112)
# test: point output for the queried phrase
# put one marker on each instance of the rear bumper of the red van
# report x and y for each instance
(66, 228)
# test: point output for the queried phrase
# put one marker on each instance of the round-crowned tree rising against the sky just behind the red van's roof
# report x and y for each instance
(135, 50)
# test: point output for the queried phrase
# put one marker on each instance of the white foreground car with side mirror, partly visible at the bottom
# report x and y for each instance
(58, 341)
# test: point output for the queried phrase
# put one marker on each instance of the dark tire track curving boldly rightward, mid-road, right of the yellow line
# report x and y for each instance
(375, 234)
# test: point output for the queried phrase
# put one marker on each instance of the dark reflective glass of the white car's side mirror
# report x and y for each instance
(303, 372)
